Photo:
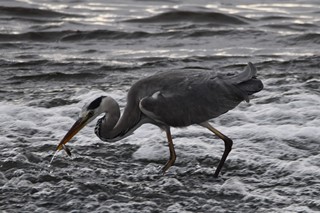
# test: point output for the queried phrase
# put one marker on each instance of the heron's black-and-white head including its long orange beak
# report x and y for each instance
(88, 113)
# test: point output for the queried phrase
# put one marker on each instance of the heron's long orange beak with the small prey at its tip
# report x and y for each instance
(77, 126)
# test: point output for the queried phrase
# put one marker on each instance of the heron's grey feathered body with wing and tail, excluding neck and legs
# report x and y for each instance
(182, 98)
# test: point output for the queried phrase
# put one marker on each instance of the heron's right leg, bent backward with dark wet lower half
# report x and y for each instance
(227, 146)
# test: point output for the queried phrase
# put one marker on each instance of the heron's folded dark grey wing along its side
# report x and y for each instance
(187, 106)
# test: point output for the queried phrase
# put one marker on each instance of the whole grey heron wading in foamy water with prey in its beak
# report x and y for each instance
(170, 99)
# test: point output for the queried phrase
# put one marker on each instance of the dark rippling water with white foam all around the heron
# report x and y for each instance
(57, 55)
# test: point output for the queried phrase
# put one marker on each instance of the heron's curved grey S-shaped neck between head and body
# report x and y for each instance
(113, 127)
